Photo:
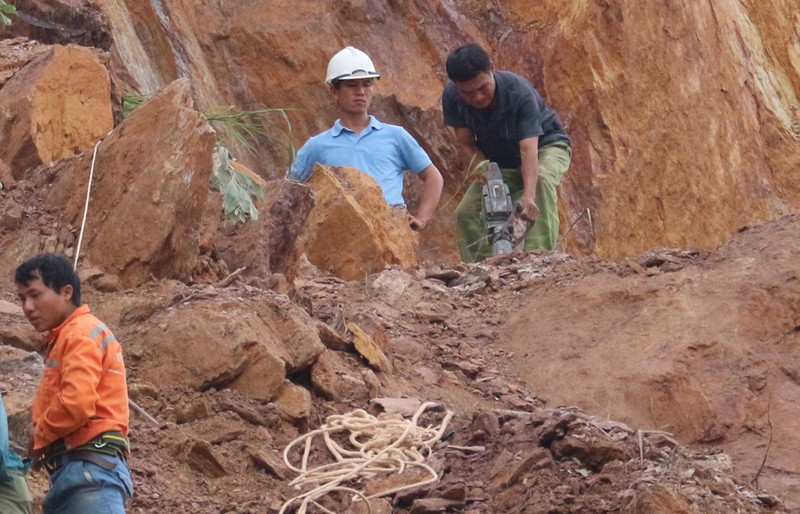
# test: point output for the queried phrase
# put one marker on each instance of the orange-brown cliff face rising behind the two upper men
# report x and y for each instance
(664, 105)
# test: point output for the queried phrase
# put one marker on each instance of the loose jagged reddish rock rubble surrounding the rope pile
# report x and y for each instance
(218, 449)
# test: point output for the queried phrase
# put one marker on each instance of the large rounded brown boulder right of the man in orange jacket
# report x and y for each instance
(245, 345)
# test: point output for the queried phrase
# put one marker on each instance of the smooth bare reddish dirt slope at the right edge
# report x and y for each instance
(707, 351)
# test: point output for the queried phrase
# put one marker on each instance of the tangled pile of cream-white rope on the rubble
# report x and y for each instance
(380, 446)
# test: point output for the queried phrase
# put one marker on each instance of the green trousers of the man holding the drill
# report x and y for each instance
(554, 160)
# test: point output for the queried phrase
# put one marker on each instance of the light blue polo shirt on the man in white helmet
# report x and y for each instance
(382, 151)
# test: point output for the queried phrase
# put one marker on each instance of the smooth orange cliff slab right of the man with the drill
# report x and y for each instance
(684, 117)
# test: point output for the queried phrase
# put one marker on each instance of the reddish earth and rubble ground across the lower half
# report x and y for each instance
(660, 384)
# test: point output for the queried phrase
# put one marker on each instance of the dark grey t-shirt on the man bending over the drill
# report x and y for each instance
(517, 112)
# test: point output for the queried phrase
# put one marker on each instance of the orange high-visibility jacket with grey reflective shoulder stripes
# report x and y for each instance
(82, 392)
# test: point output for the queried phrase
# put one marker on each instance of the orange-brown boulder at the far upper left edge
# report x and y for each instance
(57, 105)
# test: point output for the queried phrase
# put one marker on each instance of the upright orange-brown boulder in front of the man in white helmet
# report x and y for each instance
(351, 232)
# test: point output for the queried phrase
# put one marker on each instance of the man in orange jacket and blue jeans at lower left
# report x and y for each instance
(80, 413)
